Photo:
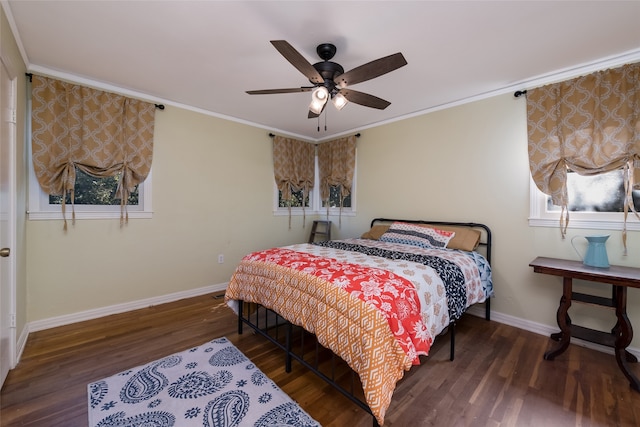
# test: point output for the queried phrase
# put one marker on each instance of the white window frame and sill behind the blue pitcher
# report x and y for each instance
(539, 216)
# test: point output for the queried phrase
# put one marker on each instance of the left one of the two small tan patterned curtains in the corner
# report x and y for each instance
(293, 167)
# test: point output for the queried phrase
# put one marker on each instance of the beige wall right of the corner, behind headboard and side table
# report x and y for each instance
(469, 163)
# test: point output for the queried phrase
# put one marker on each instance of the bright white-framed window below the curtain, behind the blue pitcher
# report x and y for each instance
(595, 202)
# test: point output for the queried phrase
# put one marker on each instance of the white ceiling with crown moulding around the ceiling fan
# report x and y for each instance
(204, 55)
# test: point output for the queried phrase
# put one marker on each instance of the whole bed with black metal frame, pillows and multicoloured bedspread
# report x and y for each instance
(377, 302)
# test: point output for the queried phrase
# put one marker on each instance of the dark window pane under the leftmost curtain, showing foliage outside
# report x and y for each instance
(95, 191)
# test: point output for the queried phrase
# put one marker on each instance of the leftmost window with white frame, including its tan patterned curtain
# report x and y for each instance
(50, 105)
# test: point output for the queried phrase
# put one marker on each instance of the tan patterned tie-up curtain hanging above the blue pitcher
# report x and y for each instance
(589, 125)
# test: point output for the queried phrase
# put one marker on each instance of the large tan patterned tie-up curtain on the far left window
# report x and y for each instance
(100, 133)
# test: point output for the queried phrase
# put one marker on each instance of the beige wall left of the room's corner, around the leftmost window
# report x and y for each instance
(212, 194)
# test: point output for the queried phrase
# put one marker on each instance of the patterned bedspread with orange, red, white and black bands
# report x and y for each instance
(375, 304)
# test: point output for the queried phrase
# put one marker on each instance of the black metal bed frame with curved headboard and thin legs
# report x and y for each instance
(300, 345)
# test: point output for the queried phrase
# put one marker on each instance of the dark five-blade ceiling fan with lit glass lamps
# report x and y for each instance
(329, 79)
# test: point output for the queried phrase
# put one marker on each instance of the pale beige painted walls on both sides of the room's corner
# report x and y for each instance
(212, 193)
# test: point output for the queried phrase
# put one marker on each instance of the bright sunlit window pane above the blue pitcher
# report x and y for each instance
(596, 193)
